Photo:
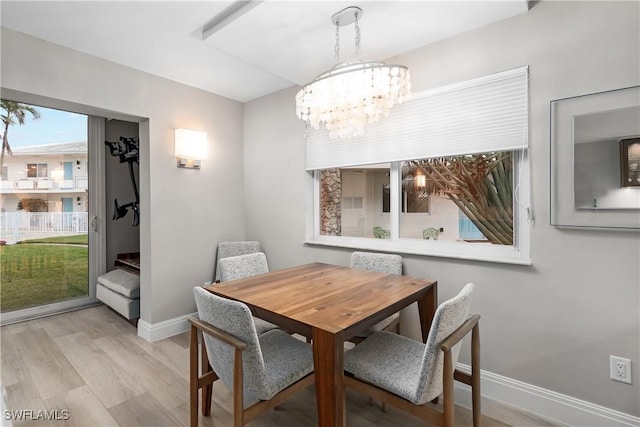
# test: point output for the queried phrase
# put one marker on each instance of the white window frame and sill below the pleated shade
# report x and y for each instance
(518, 253)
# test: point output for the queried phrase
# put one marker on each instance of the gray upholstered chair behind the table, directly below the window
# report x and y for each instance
(383, 263)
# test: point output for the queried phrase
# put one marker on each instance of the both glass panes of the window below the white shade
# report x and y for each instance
(473, 199)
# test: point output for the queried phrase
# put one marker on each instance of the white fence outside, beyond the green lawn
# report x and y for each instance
(16, 226)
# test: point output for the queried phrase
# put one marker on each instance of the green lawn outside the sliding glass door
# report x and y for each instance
(36, 274)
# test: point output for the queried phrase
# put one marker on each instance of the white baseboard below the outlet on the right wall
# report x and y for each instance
(546, 403)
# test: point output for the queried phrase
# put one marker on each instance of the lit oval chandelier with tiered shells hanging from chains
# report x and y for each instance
(352, 93)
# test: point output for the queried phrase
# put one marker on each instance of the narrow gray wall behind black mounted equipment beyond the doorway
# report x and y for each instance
(122, 236)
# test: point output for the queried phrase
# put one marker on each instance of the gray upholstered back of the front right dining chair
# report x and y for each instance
(449, 316)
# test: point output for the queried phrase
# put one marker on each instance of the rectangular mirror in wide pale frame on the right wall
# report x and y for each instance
(595, 160)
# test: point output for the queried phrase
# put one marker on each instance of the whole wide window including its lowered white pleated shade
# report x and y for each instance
(451, 183)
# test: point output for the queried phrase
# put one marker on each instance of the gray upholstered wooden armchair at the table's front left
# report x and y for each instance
(261, 370)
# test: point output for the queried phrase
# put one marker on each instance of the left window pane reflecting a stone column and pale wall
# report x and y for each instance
(351, 201)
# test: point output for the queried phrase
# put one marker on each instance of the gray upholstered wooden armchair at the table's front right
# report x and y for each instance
(408, 374)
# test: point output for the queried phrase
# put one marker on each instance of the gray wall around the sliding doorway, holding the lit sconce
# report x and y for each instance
(184, 213)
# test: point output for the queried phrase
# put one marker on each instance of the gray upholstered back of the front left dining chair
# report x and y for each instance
(234, 318)
